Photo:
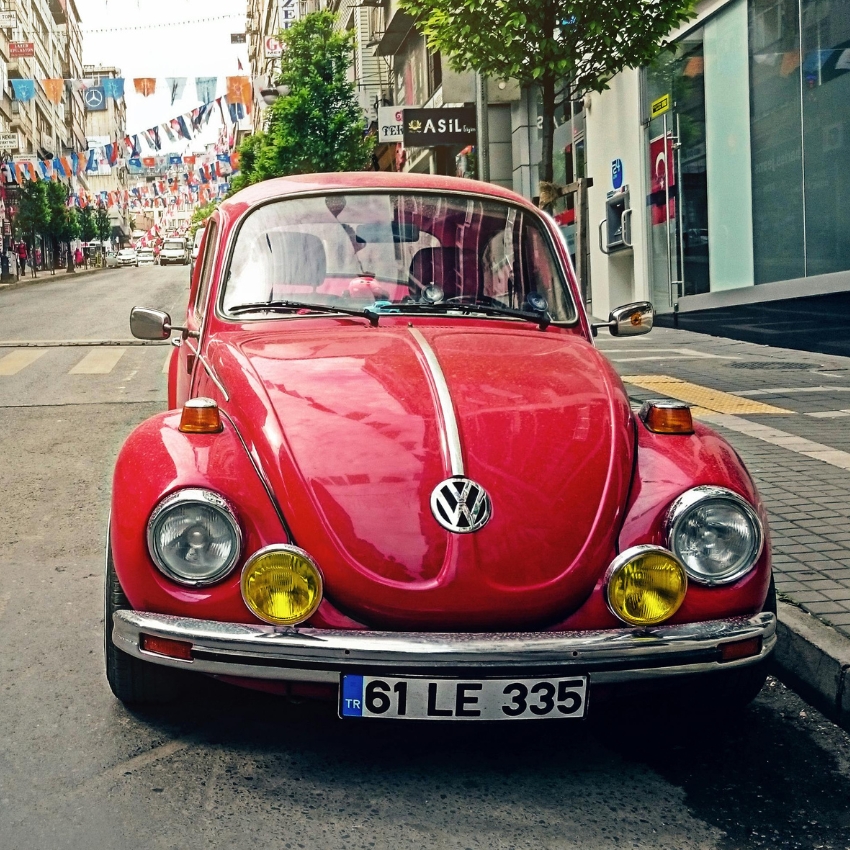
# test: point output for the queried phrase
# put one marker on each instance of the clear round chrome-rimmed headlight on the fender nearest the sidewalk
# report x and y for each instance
(715, 533)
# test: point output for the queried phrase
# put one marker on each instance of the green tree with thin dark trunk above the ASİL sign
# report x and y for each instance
(566, 47)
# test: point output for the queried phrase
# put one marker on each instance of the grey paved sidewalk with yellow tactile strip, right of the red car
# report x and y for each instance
(797, 449)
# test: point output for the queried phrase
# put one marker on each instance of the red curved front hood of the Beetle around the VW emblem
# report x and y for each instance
(349, 426)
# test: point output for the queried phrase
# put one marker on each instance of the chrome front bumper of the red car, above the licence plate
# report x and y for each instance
(319, 655)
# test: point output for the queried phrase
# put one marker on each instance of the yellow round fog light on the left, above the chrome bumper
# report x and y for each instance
(282, 585)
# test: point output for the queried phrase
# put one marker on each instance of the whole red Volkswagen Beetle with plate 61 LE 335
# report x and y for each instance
(396, 470)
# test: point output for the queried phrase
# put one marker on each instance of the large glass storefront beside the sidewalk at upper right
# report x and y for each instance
(746, 178)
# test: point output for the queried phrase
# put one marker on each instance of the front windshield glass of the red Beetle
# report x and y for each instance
(381, 250)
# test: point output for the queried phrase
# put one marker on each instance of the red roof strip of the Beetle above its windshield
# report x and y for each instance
(282, 187)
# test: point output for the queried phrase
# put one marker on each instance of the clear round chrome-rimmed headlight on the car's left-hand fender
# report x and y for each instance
(194, 538)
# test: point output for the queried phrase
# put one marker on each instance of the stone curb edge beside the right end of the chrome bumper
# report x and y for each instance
(813, 659)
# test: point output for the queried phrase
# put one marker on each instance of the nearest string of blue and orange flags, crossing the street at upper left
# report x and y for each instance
(98, 90)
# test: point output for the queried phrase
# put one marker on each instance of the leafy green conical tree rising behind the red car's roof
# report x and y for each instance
(319, 125)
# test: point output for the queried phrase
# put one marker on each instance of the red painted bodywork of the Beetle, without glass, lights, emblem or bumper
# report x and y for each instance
(342, 421)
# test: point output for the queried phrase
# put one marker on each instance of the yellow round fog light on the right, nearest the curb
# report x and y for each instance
(645, 585)
